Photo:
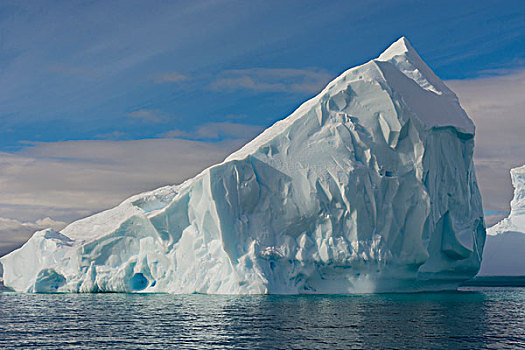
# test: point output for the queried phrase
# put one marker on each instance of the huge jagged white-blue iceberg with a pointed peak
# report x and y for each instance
(367, 187)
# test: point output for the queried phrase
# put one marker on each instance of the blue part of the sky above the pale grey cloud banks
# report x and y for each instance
(135, 69)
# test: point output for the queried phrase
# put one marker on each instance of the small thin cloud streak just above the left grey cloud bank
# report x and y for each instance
(214, 131)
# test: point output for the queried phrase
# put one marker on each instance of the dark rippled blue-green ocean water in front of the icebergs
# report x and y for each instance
(474, 318)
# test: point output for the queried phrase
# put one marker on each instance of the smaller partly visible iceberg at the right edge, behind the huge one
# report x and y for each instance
(504, 253)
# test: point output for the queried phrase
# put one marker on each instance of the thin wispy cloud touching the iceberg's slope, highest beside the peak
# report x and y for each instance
(287, 80)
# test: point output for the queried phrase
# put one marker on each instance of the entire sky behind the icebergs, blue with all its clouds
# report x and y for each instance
(103, 99)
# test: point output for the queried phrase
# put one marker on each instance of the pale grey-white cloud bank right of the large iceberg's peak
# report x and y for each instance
(496, 105)
